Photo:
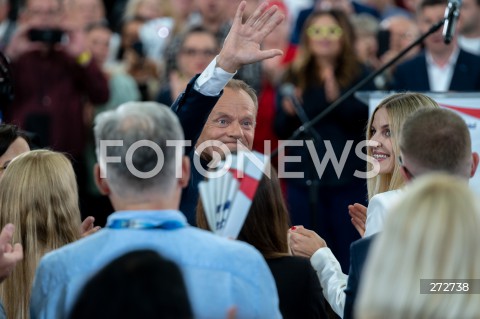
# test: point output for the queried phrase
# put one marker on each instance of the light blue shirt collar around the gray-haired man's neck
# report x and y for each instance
(147, 219)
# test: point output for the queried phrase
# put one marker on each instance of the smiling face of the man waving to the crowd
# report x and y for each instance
(231, 120)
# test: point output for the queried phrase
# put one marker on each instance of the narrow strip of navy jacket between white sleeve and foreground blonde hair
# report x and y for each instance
(358, 255)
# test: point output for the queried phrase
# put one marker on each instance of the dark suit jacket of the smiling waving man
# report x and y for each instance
(192, 109)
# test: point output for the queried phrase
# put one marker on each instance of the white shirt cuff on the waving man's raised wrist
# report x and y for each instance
(212, 80)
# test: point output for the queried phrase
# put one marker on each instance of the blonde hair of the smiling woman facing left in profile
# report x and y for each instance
(399, 106)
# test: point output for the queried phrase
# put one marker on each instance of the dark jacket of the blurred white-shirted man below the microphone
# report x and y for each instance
(412, 75)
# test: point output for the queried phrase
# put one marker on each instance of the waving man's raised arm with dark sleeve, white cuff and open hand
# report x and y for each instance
(242, 46)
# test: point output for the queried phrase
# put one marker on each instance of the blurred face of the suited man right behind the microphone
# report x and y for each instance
(428, 17)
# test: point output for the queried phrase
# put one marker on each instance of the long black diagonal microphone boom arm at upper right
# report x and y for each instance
(307, 126)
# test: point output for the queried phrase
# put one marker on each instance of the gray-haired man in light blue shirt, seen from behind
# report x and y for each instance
(219, 273)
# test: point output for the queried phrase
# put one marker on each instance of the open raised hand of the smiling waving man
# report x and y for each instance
(242, 45)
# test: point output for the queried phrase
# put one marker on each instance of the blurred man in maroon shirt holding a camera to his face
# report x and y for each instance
(54, 76)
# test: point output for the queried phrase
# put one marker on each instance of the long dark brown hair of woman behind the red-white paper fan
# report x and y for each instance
(267, 222)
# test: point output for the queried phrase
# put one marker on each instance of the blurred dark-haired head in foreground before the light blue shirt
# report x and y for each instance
(139, 284)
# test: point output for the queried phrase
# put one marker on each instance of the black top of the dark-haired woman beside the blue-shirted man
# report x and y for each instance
(299, 290)
